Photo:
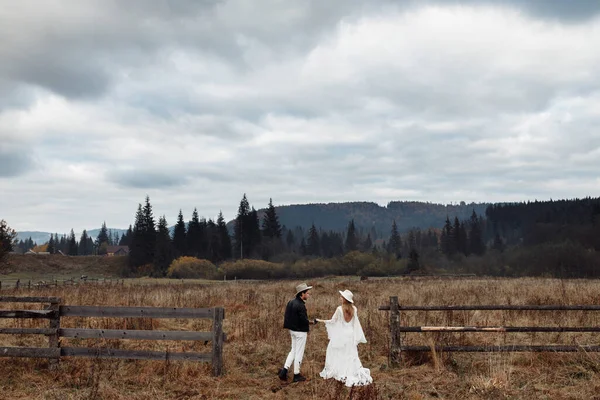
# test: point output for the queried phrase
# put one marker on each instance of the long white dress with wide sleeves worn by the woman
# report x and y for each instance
(341, 360)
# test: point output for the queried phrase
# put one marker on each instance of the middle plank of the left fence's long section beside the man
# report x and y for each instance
(133, 334)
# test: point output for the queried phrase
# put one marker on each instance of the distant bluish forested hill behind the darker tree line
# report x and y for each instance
(368, 215)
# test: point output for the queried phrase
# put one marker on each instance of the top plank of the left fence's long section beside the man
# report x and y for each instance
(135, 312)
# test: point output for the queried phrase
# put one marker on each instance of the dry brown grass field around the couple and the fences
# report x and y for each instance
(257, 345)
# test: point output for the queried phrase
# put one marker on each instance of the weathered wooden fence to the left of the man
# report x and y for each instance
(54, 312)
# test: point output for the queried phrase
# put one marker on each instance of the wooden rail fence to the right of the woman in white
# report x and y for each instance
(396, 346)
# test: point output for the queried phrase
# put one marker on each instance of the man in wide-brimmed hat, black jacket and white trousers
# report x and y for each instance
(296, 320)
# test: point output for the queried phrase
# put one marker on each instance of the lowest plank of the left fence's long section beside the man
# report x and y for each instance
(132, 354)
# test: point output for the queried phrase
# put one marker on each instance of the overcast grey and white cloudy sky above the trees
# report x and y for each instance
(196, 102)
